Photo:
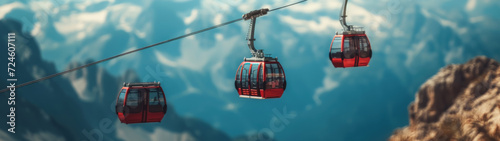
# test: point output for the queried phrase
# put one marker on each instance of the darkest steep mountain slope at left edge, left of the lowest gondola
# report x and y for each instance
(55, 97)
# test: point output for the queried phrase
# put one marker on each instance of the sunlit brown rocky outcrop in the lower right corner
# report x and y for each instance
(461, 102)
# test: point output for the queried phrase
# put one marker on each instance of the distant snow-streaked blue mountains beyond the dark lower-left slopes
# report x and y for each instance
(411, 40)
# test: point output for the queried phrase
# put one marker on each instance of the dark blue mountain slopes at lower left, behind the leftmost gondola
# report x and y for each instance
(65, 107)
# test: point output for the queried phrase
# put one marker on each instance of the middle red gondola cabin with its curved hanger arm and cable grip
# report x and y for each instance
(260, 76)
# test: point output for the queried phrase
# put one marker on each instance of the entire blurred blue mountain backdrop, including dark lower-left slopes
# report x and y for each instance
(411, 41)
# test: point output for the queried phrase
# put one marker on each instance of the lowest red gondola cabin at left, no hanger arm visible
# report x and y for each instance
(141, 103)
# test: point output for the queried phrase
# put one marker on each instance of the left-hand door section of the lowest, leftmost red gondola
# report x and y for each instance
(134, 105)
